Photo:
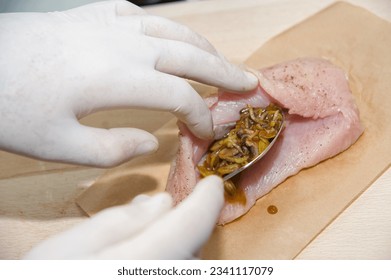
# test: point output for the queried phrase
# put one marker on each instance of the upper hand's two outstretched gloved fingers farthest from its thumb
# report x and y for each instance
(187, 54)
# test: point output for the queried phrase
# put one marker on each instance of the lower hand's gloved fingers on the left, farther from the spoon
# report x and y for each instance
(106, 228)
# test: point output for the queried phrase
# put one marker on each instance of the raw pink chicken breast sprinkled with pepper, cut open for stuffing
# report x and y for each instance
(322, 120)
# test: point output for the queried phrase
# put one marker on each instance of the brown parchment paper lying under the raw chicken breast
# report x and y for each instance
(350, 37)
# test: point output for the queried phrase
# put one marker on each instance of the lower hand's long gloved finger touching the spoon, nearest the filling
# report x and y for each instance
(181, 232)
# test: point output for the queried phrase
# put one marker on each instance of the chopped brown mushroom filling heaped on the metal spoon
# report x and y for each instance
(250, 136)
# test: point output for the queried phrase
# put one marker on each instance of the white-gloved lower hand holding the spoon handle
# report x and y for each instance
(147, 228)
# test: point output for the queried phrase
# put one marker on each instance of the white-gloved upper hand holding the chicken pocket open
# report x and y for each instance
(58, 67)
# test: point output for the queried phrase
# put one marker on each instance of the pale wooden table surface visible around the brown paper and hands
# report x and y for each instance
(37, 199)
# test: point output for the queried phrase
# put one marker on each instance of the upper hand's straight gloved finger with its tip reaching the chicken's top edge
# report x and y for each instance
(187, 61)
